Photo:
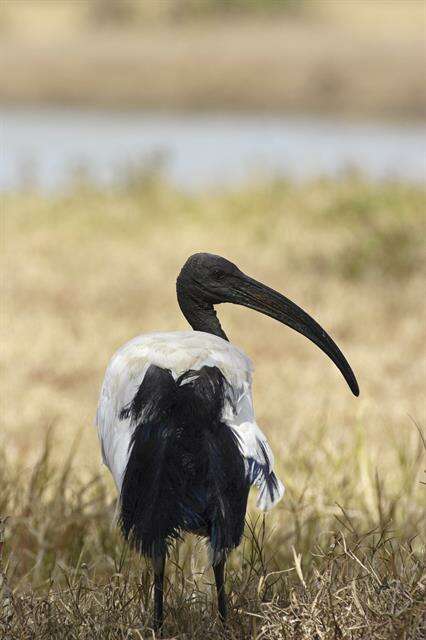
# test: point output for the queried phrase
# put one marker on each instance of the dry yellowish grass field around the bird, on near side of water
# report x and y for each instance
(342, 556)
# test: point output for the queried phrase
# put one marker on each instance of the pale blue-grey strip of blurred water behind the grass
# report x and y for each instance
(44, 145)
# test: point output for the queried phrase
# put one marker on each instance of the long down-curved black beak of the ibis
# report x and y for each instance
(259, 297)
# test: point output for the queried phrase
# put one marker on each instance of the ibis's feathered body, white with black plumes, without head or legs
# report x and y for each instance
(179, 405)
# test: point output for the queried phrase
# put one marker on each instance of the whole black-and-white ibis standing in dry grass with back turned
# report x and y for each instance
(177, 427)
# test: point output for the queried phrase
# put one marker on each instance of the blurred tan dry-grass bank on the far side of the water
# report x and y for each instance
(357, 58)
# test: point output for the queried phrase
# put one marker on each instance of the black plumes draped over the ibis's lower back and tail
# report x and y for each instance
(185, 470)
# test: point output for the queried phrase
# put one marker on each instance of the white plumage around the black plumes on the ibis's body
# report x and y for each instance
(181, 351)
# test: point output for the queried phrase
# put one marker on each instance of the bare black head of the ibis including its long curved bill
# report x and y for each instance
(206, 280)
